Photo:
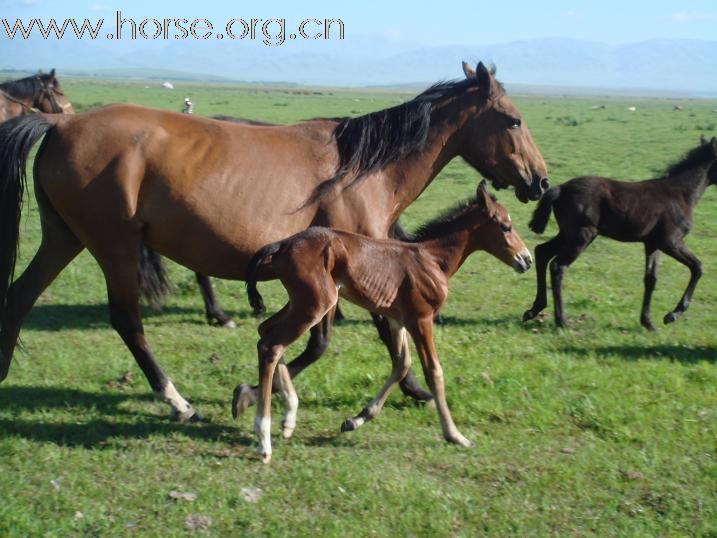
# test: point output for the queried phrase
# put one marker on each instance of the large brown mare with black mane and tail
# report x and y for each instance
(208, 194)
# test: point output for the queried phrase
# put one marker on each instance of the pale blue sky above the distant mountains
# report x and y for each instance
(442, 22)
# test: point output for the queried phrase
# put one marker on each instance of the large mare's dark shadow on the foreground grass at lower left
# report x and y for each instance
(97, 432)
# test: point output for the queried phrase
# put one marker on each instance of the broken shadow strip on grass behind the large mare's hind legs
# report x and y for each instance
(96, 316)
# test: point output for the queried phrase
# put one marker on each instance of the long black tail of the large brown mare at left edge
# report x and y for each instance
(17, 136)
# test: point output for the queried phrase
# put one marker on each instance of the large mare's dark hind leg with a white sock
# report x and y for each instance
(119, 265)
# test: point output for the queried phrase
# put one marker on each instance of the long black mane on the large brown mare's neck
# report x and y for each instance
(368, 143)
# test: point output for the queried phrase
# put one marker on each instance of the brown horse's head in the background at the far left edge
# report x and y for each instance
(41, 92)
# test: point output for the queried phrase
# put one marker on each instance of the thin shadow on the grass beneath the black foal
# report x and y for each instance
(675, 353)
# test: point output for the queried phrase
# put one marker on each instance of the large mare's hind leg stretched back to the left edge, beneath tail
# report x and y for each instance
(59, 247)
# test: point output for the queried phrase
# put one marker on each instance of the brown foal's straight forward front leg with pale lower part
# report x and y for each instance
(422, 333)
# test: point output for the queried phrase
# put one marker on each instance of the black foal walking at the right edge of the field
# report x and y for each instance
(656, 212)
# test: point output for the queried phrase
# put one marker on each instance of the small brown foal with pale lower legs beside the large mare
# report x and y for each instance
(404, 282)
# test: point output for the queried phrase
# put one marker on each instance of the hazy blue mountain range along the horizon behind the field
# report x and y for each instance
(680, 66)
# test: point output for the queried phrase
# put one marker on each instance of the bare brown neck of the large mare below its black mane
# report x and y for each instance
(409, 177)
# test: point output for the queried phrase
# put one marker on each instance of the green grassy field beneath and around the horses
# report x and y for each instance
(601, 429)
